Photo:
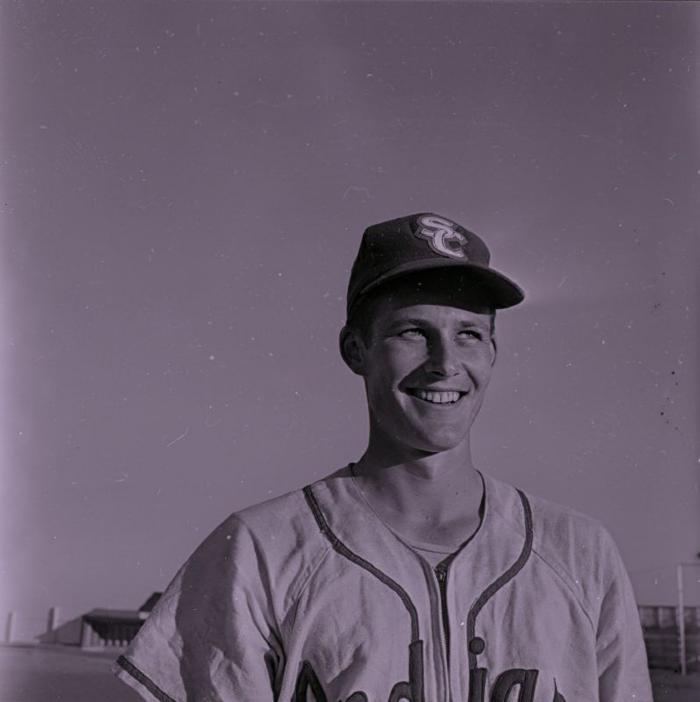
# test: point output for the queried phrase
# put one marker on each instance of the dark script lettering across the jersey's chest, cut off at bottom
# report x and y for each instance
(508, 682)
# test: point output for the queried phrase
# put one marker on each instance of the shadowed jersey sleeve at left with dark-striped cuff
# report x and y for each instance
(213, 634)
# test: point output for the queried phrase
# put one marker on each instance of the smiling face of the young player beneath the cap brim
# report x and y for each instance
(426, 363)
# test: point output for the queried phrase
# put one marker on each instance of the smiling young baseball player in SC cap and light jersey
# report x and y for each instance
(409, 575)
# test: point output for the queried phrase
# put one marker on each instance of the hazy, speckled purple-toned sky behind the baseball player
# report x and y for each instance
(184, 186)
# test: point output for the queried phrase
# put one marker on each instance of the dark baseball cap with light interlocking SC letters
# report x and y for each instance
(422, 242)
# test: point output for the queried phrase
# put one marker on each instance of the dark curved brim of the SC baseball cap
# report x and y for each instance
(501, 292)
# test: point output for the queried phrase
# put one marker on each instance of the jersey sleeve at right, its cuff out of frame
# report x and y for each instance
(623, 673)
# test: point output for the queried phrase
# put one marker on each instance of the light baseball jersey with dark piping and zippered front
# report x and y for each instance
(311, 597)
